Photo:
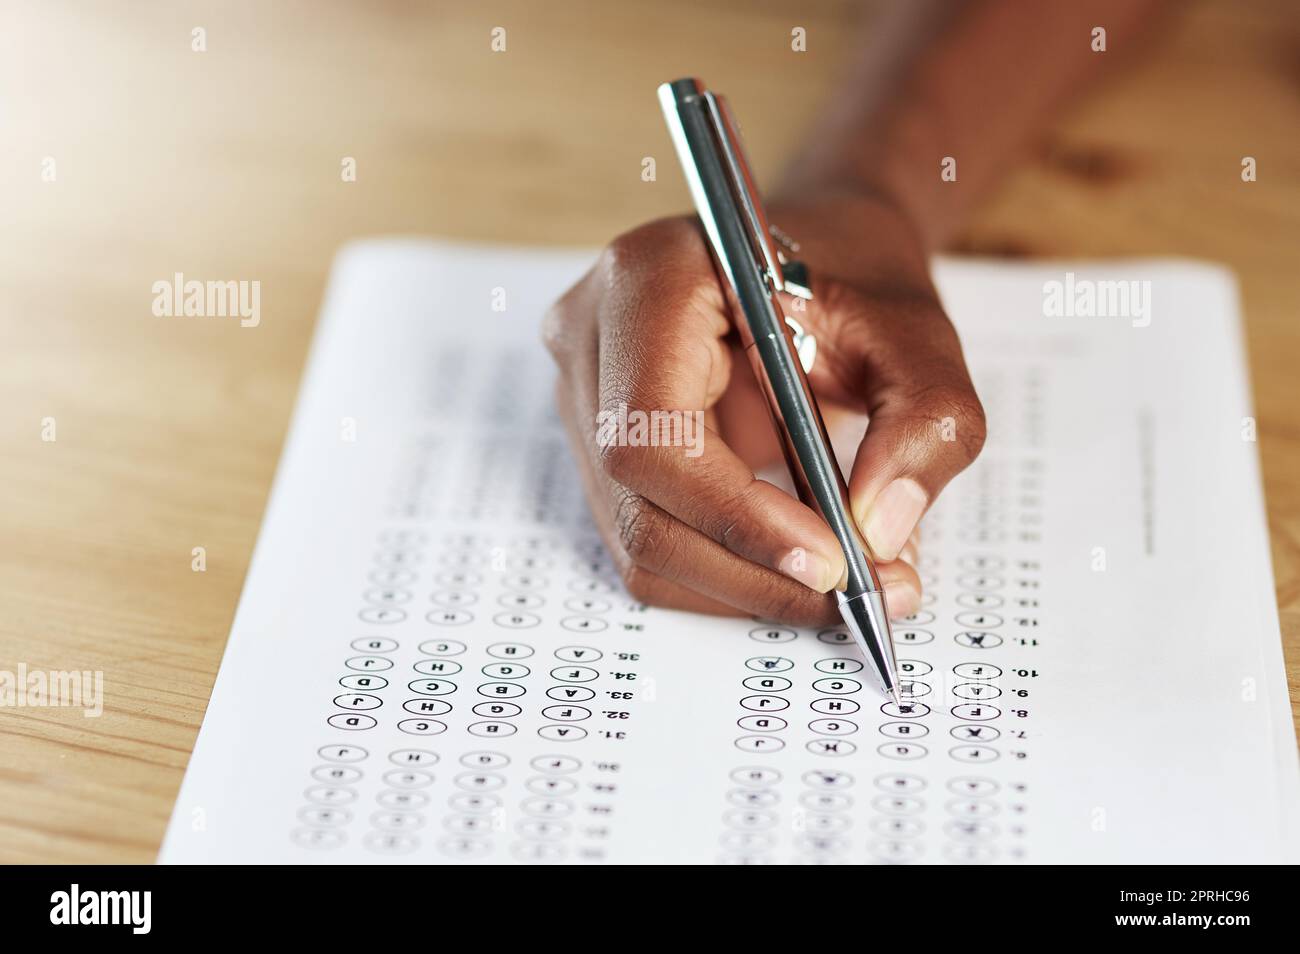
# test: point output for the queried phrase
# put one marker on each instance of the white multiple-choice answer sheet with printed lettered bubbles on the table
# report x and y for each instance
(435, 662)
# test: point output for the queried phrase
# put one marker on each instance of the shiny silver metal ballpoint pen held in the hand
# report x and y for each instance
(753, 271)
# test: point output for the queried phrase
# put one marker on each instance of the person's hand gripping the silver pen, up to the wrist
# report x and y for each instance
(694, 528)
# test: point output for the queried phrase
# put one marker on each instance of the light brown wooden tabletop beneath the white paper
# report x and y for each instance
(227, 164)
